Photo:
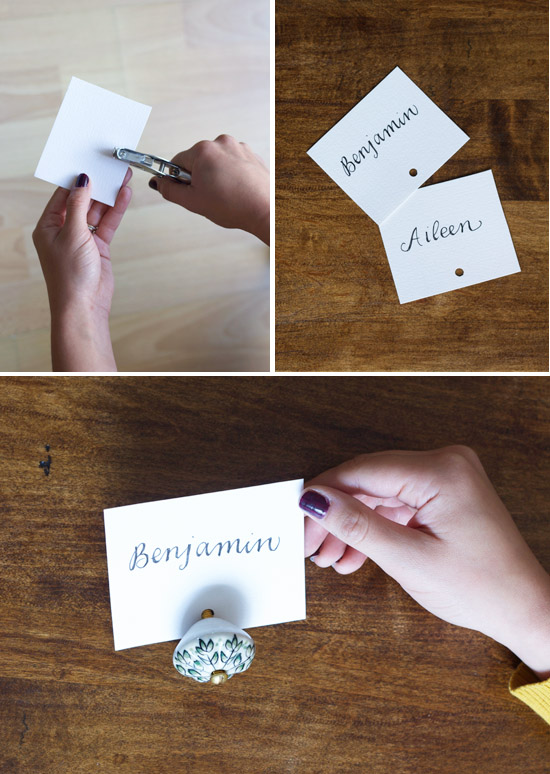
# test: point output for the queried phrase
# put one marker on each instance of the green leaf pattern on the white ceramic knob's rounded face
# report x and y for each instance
(199, 658)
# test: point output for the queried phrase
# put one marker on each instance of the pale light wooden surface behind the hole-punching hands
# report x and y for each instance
(188, 295)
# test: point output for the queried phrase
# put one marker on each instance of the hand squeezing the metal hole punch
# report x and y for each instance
(229, 185)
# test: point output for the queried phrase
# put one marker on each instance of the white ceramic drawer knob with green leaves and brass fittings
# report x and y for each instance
(213, 650)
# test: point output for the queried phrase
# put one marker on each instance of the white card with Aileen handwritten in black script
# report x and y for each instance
(448, 236)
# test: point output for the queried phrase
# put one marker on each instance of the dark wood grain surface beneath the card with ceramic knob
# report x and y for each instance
(370, 682)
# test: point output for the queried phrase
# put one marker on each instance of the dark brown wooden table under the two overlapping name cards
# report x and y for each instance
(484, 64)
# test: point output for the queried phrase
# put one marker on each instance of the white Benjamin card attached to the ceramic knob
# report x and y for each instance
(238, 552)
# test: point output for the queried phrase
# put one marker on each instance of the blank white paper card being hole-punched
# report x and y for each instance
(91, 122)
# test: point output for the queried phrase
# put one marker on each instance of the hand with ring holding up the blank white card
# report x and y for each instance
(77, 269)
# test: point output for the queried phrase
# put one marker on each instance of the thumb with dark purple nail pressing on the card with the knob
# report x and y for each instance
(386, 542)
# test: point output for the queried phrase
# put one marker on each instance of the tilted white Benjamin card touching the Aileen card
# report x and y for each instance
(370, 152)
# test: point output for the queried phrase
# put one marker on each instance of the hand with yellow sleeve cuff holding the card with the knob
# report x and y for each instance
(433, 521)
